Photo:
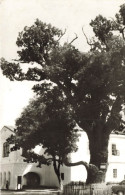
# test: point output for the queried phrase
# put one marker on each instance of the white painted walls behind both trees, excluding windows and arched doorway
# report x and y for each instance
(15, 165)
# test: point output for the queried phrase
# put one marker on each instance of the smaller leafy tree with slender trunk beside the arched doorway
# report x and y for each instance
(47, 122)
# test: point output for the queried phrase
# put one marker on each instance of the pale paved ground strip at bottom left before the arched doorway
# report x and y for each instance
(32, 192)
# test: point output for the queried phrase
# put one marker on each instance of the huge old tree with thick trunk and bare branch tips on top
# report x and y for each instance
(92, 83)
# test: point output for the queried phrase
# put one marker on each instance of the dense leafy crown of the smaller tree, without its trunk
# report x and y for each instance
(47, 121)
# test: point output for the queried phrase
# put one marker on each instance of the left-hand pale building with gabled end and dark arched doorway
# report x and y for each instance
(20, 174)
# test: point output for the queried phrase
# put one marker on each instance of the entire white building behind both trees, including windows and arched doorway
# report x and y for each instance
(18, 173)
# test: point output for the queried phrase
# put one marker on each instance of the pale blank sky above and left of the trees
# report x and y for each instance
(71, 15)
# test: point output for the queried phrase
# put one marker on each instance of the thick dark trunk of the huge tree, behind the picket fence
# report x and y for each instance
(98, 145)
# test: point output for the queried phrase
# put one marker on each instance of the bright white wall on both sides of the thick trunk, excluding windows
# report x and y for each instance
(115, 162)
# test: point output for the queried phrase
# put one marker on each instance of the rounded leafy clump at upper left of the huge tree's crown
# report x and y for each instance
(37, 41)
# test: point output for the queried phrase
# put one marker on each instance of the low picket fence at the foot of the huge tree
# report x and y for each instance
(79, 188)
